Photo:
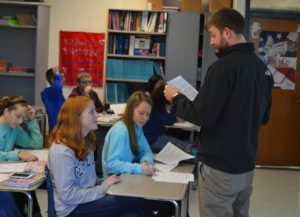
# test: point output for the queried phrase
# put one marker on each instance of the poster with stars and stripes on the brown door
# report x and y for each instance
(278, 50)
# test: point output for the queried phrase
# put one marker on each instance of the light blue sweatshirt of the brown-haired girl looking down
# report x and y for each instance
(117, 156)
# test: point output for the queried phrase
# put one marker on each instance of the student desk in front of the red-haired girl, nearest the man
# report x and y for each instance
(145, 187)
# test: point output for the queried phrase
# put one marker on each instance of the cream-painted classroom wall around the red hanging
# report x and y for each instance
(81, 15)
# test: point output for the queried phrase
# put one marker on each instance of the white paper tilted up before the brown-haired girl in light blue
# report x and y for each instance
(172, 155)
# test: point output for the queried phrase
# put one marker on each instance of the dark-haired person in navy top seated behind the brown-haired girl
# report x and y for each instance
(154, 129)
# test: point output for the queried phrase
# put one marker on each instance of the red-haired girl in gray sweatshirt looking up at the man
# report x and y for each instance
(77, 190)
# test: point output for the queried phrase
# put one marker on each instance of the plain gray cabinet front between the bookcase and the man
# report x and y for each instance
(182, 46)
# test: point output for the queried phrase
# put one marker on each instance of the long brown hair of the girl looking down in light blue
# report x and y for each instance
(134, 100)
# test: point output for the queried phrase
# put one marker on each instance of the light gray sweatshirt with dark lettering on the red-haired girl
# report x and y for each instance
(74, 181)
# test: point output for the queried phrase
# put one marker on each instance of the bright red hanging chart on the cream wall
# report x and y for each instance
(82, 51)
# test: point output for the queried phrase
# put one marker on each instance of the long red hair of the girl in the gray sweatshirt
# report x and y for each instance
(68, 129)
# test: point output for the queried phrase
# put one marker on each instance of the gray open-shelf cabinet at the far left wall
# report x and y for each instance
(24, 49)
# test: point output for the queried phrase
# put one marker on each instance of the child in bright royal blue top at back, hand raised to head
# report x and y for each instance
(52, 96)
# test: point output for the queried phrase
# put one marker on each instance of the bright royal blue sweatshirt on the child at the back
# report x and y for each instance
(53, 99)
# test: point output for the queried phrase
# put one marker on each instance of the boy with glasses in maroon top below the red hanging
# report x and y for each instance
(85, 88)
